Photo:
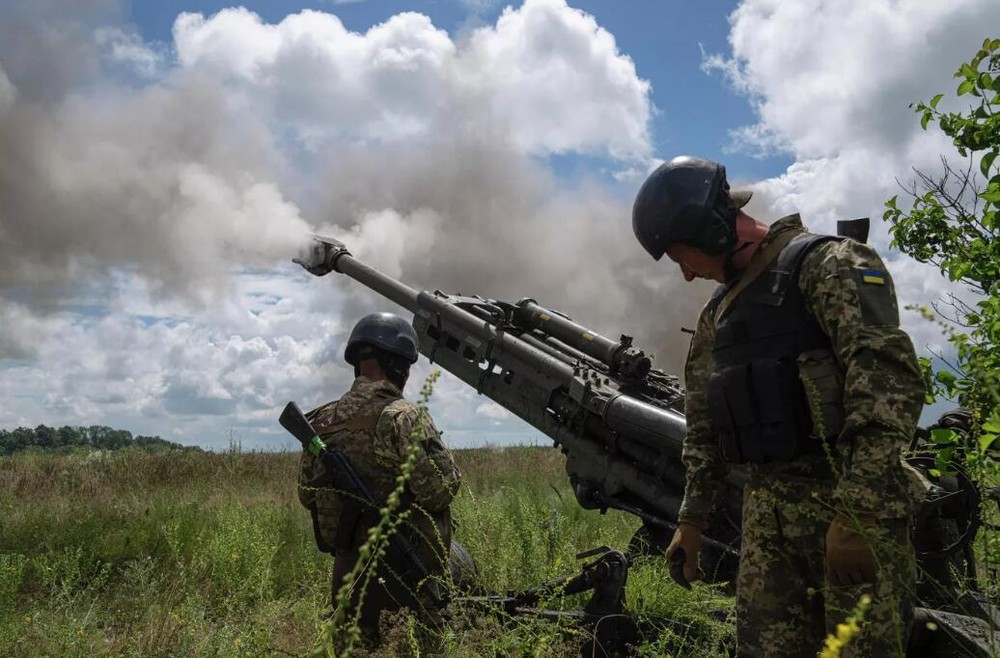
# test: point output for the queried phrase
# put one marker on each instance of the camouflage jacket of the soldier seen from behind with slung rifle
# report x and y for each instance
(378, 452)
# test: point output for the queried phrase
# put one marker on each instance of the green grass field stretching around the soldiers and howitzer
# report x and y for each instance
(202, 554)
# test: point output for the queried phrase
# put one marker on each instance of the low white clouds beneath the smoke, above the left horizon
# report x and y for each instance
(192, 375)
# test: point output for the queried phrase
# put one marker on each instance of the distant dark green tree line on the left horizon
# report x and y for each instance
(67, 439)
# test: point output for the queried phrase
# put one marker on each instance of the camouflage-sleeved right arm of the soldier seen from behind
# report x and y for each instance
(435, 479)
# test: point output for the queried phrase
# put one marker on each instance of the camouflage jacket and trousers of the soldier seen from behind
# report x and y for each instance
(377, 430)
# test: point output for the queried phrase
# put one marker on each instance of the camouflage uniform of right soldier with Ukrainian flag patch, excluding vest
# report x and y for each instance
(848, 290)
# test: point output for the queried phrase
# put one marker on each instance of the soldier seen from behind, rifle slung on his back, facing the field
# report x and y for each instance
(379, 432)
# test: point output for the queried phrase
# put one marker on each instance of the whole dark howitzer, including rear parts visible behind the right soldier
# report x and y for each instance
(620, 424)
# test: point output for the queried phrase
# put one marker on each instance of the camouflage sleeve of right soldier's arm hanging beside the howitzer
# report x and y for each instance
(705, 466)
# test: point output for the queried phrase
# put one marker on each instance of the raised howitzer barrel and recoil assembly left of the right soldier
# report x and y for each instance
(618, 420)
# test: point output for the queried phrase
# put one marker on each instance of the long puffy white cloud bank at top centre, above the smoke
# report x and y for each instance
(547, 76)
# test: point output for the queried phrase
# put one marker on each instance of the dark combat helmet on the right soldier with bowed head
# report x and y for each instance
(687, 200)
